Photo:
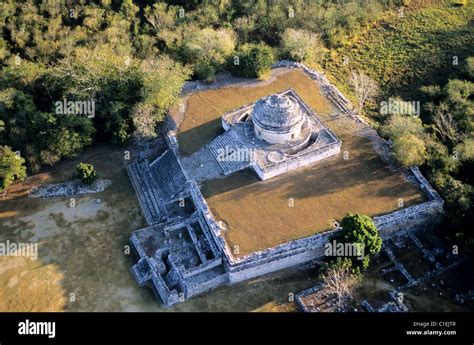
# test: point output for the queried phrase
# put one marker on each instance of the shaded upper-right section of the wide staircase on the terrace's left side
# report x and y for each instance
(168, 175)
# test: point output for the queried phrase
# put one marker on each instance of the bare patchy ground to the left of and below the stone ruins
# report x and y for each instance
(82, 265)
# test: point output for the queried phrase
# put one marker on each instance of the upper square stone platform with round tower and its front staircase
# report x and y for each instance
(273, 136)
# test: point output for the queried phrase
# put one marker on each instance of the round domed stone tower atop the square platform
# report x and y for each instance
(277, 119)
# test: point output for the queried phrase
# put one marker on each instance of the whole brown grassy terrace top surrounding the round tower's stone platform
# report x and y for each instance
(258, 213)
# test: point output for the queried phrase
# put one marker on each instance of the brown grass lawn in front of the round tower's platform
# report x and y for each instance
(258, 213)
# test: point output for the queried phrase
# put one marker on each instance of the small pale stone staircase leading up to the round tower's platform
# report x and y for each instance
(222, 148)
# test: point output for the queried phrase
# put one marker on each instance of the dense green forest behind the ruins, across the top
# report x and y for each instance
(120, 64)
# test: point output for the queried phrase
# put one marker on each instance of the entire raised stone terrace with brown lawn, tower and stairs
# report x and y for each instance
(308, 159)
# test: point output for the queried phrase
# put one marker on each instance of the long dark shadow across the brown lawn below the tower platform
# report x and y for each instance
(364, 169)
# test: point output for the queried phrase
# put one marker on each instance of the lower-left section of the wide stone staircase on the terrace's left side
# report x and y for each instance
(148, 195)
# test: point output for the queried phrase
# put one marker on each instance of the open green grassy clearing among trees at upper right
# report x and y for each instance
(404, 53)
